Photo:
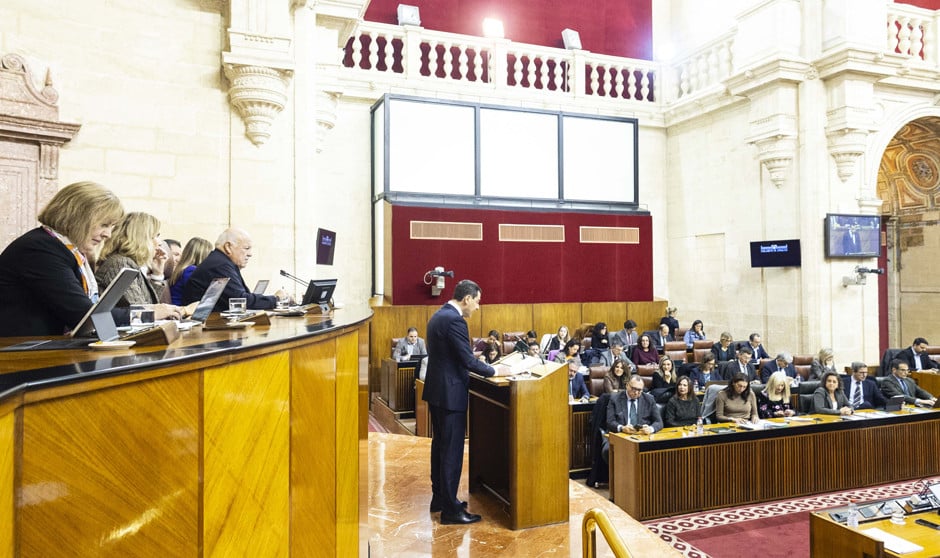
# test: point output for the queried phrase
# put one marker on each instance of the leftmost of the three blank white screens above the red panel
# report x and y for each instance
(431, 148)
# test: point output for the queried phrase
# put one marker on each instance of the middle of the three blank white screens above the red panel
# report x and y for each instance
(518, 154)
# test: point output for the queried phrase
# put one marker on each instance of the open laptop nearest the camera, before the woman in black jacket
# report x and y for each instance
(97, 323)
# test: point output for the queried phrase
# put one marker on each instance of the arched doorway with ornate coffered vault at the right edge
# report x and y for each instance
(909, 184)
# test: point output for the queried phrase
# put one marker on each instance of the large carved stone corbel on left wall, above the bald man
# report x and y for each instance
(258, 93)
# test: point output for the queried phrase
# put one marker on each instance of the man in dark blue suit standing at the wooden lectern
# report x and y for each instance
(446, 389)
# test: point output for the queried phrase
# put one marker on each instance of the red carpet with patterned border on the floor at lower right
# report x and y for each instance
(673, 529)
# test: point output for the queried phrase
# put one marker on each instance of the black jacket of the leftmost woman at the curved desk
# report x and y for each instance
(41, 289)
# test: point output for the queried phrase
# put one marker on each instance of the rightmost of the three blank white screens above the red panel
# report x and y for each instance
(599, 159)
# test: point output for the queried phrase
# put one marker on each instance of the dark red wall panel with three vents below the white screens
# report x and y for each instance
(522, 272)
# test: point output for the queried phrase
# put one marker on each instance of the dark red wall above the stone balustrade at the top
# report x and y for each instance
(615, 27)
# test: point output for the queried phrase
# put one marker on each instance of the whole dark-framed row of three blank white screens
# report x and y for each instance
(438, 149)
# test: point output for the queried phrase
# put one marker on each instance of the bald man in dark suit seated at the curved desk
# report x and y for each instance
(231, 255)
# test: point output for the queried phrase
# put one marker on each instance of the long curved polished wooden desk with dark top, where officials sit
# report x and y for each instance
(225, 443)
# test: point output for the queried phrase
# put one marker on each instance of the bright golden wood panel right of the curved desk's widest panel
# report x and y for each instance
(246, 457)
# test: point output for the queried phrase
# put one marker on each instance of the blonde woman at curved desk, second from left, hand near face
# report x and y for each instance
(134, 244)
